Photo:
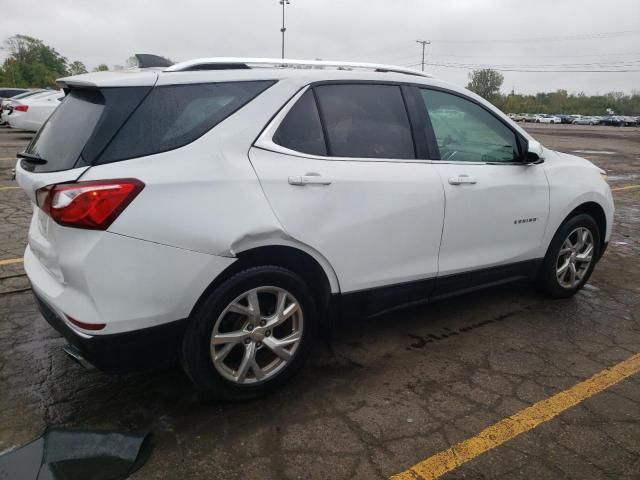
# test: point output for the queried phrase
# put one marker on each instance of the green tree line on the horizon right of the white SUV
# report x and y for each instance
(487, 83)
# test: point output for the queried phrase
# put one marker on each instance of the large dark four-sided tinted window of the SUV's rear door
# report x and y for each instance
(366, 121)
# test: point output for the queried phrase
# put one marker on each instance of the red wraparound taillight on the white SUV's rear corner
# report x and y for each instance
(93, 205)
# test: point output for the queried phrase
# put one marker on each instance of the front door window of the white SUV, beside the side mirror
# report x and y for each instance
(467, 132)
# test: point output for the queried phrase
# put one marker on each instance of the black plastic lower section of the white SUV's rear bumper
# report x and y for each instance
(122, 352)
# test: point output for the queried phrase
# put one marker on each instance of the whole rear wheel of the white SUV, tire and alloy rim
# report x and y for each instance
(250, 334)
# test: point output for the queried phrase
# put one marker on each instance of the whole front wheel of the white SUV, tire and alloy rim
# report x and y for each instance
(571, 257)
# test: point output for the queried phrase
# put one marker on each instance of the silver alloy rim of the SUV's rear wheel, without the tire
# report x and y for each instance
(256, 335)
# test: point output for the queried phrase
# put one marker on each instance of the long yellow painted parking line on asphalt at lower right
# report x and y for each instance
(523, 421)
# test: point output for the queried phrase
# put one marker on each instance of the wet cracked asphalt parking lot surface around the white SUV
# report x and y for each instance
(390, 392)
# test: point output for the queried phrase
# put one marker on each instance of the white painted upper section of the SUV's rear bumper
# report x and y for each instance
(128, 285)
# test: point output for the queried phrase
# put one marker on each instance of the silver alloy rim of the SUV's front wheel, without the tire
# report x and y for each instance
(574, 258)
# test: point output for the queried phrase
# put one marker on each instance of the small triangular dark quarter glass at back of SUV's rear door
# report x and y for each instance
(301, 129)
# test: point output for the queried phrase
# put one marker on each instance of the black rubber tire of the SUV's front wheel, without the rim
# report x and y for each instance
(547, 281)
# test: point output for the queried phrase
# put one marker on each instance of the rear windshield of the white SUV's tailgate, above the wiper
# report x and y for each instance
(63, 136)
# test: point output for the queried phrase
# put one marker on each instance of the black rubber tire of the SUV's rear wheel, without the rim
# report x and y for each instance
(196, 356)
